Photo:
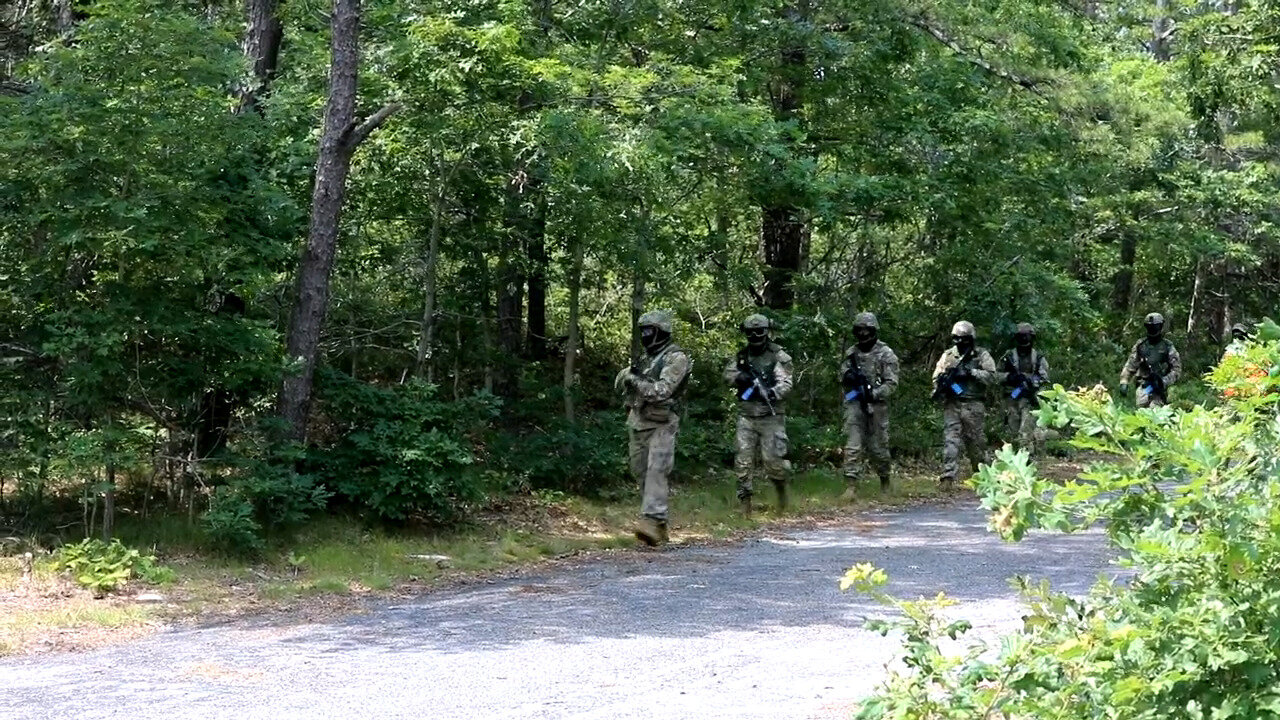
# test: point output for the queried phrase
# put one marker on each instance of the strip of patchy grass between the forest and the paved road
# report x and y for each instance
(335, 560)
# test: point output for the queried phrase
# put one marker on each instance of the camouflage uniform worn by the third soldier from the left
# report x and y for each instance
(867, 434)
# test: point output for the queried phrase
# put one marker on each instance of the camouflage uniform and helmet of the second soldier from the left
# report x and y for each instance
(761, 432)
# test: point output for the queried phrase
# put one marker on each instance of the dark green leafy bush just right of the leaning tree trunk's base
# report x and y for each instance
(400, 452)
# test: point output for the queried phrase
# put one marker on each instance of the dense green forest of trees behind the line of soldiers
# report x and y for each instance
(266, 261)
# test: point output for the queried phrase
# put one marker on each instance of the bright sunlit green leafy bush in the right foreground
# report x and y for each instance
(1191, 504)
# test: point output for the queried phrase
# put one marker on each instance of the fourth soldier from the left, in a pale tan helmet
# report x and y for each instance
(961, 380)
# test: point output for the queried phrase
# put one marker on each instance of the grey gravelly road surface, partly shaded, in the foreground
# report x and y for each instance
(756, 630)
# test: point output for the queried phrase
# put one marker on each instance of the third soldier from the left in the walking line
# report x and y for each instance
(868, 376)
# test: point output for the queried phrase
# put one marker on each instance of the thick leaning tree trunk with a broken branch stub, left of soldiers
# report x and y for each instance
(339, 142)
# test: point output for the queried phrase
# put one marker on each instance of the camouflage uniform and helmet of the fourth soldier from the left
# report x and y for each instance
(963, 416)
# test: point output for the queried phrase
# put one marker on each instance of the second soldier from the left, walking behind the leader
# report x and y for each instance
(761, 376)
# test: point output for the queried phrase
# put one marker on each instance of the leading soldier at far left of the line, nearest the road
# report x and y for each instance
(653, 390)
